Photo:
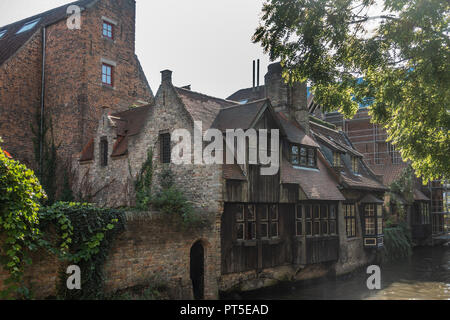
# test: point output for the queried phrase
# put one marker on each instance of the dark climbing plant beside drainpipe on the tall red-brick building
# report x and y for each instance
(48, 165)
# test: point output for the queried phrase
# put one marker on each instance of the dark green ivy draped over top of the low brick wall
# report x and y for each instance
(84, 236)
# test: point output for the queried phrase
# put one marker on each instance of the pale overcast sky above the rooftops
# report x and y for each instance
(206, 43)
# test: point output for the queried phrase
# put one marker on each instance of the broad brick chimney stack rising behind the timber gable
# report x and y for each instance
(290, 99)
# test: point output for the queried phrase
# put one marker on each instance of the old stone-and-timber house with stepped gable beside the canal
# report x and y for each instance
(306, 221)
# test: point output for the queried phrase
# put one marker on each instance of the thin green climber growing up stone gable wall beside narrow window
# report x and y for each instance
(143, 184)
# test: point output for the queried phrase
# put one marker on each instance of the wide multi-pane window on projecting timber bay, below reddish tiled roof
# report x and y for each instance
(320, 219)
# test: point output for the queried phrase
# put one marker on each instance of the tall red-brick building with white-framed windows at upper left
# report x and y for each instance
(67, 75)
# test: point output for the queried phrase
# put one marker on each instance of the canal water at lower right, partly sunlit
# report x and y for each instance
(425, 276)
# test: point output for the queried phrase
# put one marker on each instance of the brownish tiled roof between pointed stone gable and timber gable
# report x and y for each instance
(202, 107)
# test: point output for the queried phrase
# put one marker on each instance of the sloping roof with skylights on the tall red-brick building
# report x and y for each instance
(11, 42)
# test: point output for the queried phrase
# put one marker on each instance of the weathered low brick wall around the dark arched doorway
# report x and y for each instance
(150, 248)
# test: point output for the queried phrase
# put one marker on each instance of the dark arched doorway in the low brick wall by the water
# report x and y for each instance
(198, 270)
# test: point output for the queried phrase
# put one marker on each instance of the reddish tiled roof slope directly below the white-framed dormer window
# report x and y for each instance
(317, 184)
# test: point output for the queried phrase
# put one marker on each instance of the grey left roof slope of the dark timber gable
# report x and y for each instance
(239, 116)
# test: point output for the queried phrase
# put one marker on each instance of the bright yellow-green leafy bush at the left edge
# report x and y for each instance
(20, 193)
